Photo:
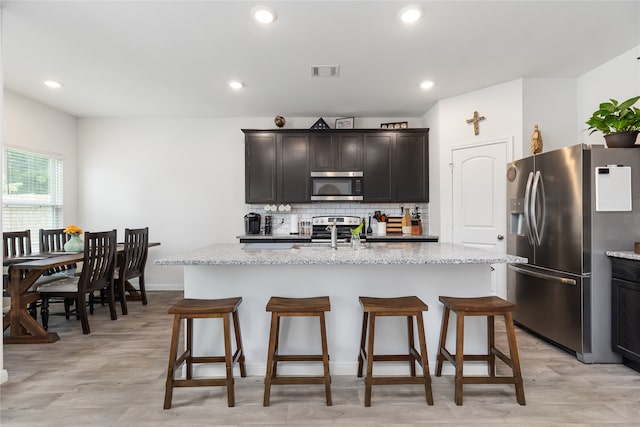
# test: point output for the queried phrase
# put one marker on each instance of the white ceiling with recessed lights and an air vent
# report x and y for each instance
(174, 58)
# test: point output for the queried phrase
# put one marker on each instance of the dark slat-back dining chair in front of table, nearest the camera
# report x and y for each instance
(97, 274)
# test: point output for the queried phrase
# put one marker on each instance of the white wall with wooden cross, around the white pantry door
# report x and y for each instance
(502, 107)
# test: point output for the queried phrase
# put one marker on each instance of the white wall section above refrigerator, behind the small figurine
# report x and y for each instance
(551, 104)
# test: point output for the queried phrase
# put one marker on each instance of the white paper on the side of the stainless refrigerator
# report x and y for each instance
(613, 188)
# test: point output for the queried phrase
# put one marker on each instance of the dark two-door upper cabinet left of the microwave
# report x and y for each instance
(276, 167)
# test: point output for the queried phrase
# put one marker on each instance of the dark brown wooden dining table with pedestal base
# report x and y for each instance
(24, 271)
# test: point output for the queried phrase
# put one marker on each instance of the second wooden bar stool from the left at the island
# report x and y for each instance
(290, 307)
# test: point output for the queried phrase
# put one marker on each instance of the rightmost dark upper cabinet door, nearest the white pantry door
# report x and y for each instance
(412, 168)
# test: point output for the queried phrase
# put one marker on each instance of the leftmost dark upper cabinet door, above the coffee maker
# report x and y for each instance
(260, 168)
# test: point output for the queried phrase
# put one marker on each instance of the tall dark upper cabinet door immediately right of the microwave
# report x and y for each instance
(378, 152)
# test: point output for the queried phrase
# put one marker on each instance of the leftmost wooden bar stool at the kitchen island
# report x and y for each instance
(190, 309)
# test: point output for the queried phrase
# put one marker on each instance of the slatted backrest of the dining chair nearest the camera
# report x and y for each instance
(99, 261)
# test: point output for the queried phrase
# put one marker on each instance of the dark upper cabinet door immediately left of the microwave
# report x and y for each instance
(293, 179)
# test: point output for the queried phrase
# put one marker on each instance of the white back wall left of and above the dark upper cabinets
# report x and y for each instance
(183, 178)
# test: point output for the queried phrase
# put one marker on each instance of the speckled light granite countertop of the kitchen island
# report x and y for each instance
(375, 253)
